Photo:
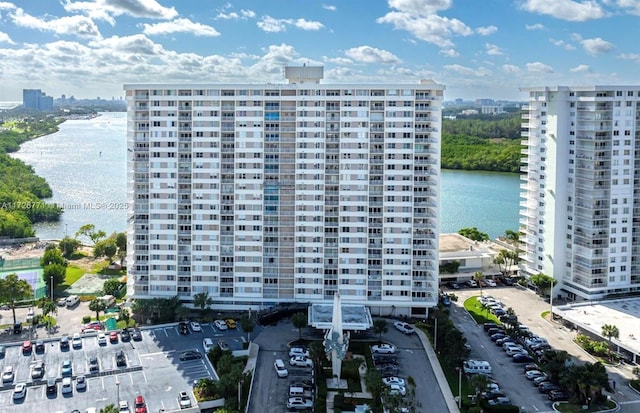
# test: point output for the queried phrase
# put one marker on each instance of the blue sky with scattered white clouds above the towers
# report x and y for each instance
(477, 48)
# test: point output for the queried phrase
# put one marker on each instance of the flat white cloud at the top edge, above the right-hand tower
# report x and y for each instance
(569, 10)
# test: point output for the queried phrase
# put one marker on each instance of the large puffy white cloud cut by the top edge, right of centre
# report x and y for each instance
(418, 18)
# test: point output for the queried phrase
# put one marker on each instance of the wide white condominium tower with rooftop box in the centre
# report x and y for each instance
(269, 193)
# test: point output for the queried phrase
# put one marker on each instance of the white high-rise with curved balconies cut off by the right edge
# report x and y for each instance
(581, 204)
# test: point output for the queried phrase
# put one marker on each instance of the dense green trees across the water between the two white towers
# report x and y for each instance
(478, 143)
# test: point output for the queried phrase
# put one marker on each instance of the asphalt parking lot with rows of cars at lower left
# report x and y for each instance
(153, 370)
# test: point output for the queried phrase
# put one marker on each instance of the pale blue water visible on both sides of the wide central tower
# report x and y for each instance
(85, 164)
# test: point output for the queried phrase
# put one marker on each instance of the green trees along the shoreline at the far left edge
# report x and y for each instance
(21, 190)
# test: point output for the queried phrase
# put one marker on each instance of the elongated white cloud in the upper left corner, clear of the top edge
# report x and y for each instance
(78, 25)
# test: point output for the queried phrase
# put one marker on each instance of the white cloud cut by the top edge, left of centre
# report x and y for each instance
(149, 9)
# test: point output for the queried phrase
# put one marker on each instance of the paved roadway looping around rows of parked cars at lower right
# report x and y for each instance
(529, 307)
